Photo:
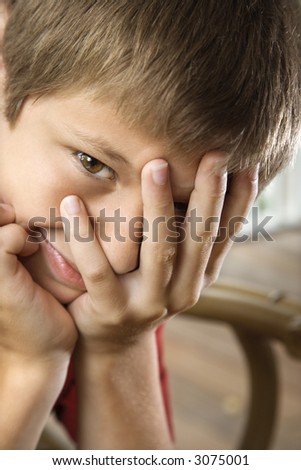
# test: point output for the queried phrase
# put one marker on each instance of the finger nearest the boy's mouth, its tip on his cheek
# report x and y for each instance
(87, 252)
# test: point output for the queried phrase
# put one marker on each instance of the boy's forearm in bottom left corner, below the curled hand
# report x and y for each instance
(24, 417)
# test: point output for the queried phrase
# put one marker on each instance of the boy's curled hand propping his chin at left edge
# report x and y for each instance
(33, 325)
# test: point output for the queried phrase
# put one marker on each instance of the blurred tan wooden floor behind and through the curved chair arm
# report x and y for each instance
(208, 381)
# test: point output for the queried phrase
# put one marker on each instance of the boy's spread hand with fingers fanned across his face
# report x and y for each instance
(171, 273)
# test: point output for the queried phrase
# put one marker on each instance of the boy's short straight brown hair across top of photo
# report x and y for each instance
(202, 74)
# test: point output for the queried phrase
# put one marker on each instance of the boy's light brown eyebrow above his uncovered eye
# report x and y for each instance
(98, 145)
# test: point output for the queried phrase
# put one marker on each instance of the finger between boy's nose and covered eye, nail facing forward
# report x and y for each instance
(158, 250)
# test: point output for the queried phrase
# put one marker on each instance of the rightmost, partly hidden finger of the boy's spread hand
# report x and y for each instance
(240, 197)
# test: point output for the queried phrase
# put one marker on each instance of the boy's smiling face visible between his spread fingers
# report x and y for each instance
(47, 156)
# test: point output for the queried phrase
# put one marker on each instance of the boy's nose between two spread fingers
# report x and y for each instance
(119, 231)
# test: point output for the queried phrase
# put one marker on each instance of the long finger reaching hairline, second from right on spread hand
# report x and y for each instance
(201, 226)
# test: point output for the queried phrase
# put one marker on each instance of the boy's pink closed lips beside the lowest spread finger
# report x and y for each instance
(62, 269)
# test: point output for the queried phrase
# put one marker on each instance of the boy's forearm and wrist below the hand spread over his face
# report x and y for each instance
(121, 387)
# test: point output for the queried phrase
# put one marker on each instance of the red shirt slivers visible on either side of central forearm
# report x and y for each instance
(65, 407)
